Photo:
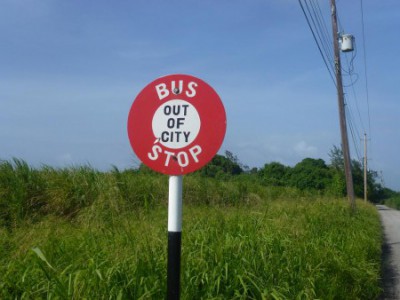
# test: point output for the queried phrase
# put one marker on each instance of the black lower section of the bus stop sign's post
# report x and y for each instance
(174, 265)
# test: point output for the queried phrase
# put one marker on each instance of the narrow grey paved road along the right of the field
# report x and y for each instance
(391, 251)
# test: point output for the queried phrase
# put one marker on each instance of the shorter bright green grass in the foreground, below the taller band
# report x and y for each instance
(280, 250)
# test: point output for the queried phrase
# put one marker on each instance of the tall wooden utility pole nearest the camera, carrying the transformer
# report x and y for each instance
(342, 116)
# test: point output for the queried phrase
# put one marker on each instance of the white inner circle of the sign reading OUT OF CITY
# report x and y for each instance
(176, 124)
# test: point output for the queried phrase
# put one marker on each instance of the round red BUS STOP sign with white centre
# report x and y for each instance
(176, 124)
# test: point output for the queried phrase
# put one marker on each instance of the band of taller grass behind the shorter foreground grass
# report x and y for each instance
(31, 194)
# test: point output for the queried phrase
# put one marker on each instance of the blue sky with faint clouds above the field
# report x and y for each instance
(70, 70)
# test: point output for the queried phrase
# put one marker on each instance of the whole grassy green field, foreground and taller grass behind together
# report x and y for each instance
(77, 233)
